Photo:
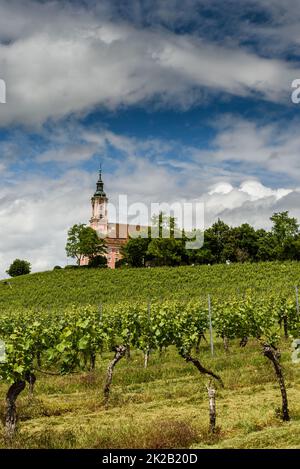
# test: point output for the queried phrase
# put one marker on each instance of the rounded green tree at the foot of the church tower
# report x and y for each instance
(83, 242)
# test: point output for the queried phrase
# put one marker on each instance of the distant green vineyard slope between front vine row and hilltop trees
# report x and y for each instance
(61, 288)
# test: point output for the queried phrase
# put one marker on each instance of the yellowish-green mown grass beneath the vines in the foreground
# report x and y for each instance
(164, 406)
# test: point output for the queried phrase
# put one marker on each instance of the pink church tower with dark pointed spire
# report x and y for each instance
(99, 220)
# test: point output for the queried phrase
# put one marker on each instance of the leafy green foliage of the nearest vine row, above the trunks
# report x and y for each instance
(66, 339)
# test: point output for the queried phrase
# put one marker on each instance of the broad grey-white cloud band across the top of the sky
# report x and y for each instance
(66, 61)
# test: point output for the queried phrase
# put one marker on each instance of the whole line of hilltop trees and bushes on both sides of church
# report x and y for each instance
(222, 243)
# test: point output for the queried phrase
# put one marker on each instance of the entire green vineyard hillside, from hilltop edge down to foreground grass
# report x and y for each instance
(187, 348)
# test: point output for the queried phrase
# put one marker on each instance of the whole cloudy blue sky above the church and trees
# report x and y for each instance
(185, 101)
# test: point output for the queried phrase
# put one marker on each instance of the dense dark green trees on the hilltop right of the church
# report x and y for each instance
(221, 243)
